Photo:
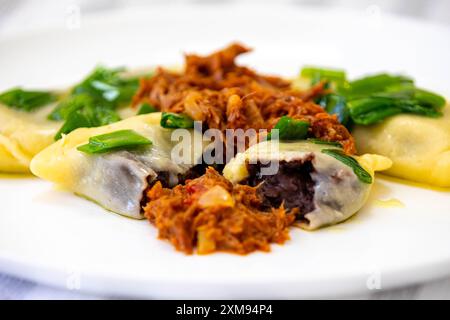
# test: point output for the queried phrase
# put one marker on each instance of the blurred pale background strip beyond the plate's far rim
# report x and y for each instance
(23, 15)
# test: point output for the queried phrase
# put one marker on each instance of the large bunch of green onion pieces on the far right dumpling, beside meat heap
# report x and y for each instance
(371, 99)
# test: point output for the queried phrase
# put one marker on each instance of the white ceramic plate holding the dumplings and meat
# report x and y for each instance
(54, 237)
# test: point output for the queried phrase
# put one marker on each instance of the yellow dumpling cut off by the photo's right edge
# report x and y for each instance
(419, 147)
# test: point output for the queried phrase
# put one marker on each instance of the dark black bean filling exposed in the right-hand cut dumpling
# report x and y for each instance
(292, 185)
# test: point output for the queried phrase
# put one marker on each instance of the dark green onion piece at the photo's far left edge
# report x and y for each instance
(26, 100)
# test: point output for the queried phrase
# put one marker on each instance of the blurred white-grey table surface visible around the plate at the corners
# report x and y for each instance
(23, 15)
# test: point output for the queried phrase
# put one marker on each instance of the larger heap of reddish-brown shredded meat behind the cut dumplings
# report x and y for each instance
(215, 90)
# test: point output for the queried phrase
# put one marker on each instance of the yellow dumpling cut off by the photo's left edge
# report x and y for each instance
(22, 135)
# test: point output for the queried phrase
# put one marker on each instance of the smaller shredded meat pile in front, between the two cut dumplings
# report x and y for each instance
(212, 214)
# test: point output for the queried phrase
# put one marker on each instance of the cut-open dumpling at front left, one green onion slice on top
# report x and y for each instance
(116, 180)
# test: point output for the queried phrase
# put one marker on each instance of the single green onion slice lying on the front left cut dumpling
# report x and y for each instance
(122, 139)
